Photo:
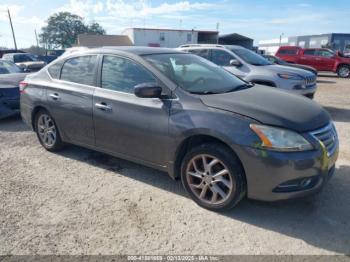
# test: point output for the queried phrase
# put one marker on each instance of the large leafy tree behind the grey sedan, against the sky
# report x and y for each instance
(63, 29)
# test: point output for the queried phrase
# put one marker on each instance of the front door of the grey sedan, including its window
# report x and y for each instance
(125, 124)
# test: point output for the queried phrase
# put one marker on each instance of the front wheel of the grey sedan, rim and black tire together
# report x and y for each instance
(221, 192)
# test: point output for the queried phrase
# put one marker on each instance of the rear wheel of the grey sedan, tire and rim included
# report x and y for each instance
(47, 131)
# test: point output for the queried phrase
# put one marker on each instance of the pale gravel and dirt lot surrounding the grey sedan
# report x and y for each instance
(82, 202)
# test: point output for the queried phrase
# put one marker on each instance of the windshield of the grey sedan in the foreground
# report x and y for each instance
(195, 74)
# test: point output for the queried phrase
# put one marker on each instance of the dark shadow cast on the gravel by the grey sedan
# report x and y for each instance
(322, 220)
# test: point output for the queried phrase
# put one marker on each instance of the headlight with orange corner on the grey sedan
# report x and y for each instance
(279, 139)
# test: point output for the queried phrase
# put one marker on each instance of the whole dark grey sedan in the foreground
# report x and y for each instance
(177, 112)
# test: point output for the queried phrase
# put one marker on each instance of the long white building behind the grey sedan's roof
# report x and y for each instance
(169, 37)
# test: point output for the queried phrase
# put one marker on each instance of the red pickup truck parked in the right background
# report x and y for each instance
(322, 59)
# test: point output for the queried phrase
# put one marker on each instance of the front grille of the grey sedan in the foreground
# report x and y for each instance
(328, 136)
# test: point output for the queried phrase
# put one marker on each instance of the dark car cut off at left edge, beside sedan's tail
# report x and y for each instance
(10, 77)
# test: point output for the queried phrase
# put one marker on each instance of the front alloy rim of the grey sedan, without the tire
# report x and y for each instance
(209, 179)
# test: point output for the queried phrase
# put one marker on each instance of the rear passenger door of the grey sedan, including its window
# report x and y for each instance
(70, 98)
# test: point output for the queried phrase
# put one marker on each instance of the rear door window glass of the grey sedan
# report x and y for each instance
(80, 70)
